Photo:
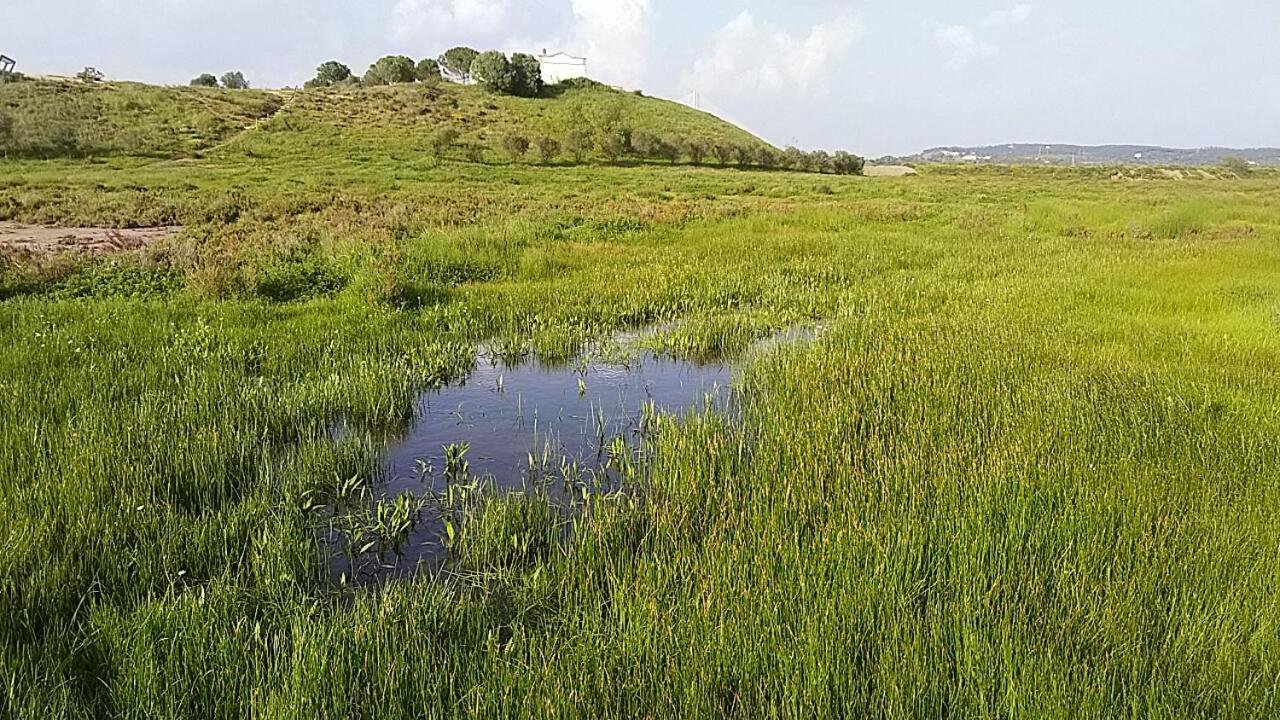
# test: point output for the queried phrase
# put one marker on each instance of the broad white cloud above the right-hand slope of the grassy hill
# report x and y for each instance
(749, 57)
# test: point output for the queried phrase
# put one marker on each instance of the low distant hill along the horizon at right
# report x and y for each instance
(1052, 154)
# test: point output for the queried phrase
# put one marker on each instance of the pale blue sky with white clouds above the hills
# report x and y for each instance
(874, 76)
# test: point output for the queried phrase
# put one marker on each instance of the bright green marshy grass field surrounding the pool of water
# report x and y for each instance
(1031, 468)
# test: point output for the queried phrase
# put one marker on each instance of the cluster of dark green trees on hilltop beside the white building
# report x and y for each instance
(519, 75)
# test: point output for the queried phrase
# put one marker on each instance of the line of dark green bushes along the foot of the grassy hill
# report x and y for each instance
(621, 144)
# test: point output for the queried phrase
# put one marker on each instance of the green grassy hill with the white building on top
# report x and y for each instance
(58, 119)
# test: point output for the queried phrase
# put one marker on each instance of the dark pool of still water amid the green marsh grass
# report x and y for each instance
(523, 426)
